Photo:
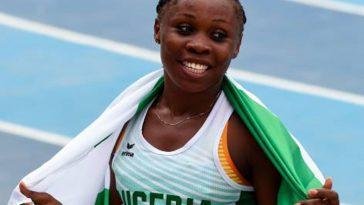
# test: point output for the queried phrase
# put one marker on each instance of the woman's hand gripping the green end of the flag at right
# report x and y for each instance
(323, 196)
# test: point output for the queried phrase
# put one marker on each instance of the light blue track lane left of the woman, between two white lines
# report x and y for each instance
(59, 87)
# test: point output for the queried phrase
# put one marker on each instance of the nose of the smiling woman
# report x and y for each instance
(199, 44)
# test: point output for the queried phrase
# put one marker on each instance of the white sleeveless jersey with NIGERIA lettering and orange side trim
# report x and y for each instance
(200, 172)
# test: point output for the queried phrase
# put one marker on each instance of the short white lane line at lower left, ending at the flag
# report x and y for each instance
(34, 134)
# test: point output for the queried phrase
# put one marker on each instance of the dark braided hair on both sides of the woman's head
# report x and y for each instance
(239, 11)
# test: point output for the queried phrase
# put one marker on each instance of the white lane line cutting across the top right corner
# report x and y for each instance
(333, 5)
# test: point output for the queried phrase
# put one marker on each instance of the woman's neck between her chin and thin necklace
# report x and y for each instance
(180, 102)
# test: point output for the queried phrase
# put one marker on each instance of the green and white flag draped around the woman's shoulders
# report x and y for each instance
(79, 173)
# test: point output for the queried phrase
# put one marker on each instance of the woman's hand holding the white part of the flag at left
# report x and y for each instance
(38, 198)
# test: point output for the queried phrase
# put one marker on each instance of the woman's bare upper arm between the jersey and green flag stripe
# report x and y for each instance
(252, 163)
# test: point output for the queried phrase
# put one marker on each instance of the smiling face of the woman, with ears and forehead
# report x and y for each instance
(198, 39)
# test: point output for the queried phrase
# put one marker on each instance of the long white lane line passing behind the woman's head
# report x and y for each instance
(153, 56)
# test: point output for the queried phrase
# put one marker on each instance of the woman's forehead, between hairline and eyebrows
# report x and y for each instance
(217, 9)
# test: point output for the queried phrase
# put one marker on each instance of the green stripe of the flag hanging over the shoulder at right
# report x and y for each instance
(276, 142)
